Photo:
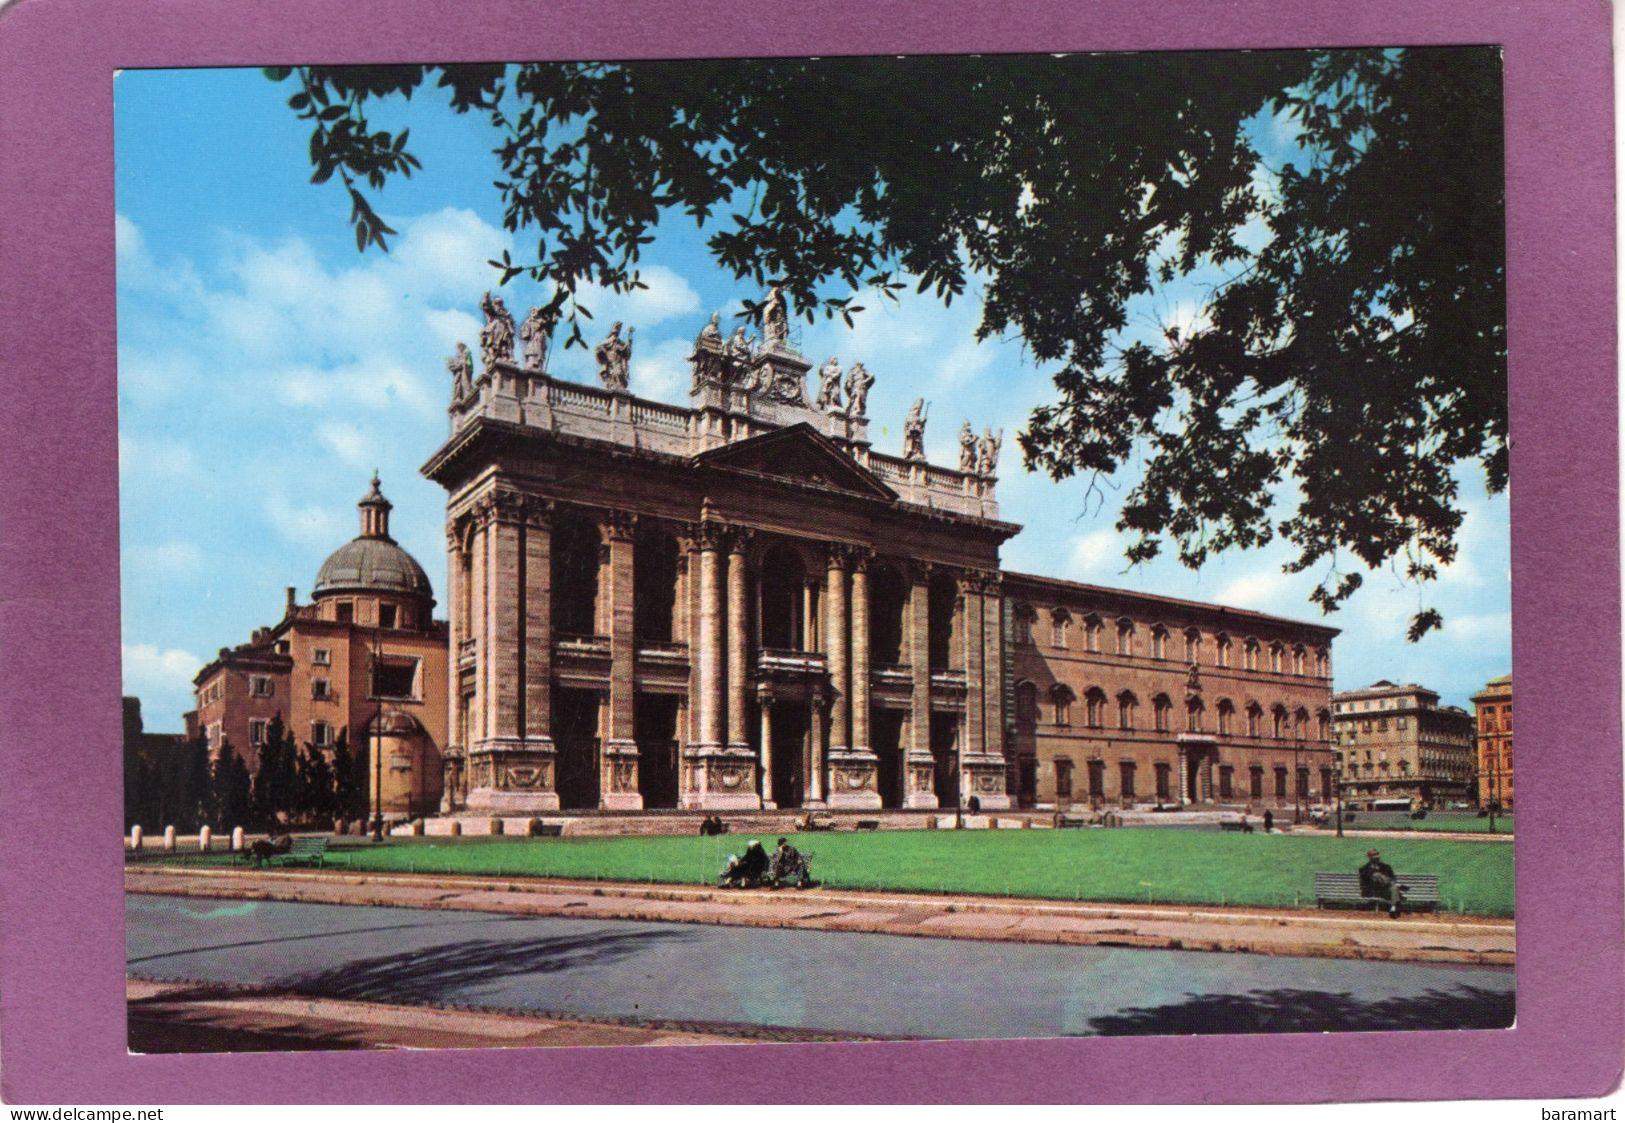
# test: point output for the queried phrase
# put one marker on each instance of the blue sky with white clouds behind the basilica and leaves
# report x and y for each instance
(266, 370)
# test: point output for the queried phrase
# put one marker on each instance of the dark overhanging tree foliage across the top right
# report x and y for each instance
(1350, 357)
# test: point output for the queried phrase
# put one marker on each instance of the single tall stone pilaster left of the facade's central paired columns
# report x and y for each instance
(618, 770)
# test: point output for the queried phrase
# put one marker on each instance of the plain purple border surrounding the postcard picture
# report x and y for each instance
(63, 1008)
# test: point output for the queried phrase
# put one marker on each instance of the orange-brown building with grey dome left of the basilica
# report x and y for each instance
(365, 656)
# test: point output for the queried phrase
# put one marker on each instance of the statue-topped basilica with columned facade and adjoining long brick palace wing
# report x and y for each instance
(742, 604)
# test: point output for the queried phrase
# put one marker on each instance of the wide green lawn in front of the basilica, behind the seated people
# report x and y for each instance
(1190, 867)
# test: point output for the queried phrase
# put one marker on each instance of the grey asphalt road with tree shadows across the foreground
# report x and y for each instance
(854, 982)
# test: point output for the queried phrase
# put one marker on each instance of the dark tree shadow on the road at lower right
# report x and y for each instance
(1311, 1012)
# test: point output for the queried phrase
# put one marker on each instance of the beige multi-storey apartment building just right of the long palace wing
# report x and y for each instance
(1400, 744)
